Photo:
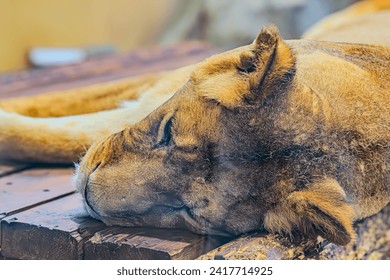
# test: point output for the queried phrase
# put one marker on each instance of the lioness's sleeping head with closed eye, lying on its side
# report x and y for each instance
(214, 158)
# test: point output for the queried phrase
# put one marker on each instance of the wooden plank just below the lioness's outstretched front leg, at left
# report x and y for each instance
(31, 187)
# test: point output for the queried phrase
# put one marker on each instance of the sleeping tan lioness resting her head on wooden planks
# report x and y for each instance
(277, 135)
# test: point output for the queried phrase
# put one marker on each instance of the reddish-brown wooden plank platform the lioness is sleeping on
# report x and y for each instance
(41, 216)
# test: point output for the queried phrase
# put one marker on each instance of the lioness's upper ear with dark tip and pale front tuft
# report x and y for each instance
(267, 63)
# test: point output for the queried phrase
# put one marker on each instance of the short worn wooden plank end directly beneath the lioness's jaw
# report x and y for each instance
(153, 244)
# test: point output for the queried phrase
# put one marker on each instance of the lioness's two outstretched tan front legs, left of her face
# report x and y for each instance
(37, 134)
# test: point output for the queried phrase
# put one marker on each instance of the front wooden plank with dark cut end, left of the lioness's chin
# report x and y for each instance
(55, 230)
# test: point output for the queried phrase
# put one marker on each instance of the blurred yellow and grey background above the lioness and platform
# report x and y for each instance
(94, 27)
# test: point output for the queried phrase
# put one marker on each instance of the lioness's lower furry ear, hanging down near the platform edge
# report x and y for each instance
(320, 209)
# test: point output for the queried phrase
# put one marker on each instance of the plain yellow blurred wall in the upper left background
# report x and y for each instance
(125, 23)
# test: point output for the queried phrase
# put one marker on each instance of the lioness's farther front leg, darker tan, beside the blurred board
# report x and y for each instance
(90, 99)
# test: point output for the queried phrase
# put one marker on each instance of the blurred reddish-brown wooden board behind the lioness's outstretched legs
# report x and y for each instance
(103, 69)
